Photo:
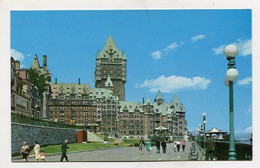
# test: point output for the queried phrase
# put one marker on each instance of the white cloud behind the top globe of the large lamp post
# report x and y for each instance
(244, 48)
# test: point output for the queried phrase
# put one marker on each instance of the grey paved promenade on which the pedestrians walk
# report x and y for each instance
(123, 154)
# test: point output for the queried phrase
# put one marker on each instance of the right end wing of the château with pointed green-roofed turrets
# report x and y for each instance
(160, 113)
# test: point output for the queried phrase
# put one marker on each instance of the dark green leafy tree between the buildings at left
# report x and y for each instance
(38, 80)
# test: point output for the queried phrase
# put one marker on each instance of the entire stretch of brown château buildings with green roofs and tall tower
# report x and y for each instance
(102, 109)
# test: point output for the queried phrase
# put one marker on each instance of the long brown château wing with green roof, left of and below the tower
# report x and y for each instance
(92, 108)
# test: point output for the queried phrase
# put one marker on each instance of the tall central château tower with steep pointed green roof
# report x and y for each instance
(111, 62)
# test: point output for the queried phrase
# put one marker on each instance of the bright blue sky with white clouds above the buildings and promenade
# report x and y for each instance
(175, 51)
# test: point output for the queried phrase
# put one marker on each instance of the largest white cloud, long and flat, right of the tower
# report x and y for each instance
(174, 83)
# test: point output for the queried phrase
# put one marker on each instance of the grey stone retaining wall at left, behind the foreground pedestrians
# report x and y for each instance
(44, 135)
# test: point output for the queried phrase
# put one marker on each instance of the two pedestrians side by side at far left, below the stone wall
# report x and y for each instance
(25, 151)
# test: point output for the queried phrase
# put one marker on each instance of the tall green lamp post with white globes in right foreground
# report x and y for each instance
(231, 75)
